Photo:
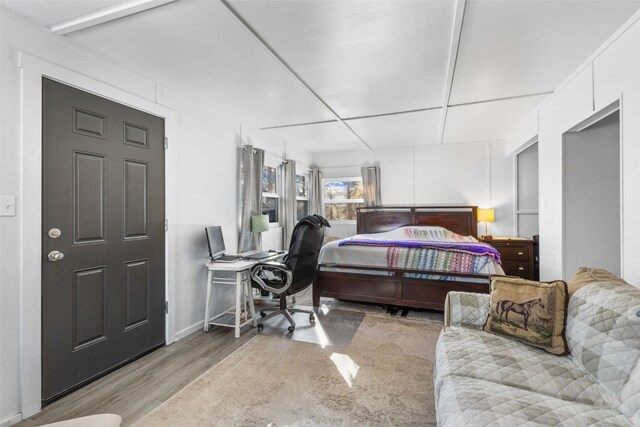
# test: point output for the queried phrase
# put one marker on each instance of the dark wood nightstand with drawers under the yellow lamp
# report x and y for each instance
(517, 256)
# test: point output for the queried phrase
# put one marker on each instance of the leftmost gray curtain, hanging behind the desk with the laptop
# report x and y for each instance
(251, 164)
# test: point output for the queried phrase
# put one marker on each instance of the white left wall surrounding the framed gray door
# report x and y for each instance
(205, 148)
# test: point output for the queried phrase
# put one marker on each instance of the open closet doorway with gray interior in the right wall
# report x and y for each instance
(592, 194)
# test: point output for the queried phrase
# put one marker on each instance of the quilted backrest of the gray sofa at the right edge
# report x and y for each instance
(603, 334)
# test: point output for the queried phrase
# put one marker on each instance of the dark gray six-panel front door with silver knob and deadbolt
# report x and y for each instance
(103, 287)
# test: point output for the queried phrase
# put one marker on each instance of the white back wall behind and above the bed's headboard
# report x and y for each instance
(471, 174)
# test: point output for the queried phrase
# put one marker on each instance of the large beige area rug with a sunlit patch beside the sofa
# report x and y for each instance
(384, 377)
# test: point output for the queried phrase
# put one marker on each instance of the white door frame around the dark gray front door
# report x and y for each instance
(32, 70)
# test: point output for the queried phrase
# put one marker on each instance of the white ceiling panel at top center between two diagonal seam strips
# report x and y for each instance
(356, 54)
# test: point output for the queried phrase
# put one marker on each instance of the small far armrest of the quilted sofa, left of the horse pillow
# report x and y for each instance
(466, 309)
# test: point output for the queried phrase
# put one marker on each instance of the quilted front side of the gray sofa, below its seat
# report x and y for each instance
(465, 401)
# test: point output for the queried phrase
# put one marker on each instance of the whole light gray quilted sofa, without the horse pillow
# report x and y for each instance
(484, 379)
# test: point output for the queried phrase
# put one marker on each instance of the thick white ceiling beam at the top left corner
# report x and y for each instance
(106, 15)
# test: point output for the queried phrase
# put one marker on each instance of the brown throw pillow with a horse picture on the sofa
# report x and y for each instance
(531, 312)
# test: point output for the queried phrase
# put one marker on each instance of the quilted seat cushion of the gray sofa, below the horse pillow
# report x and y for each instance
(476, 354)
